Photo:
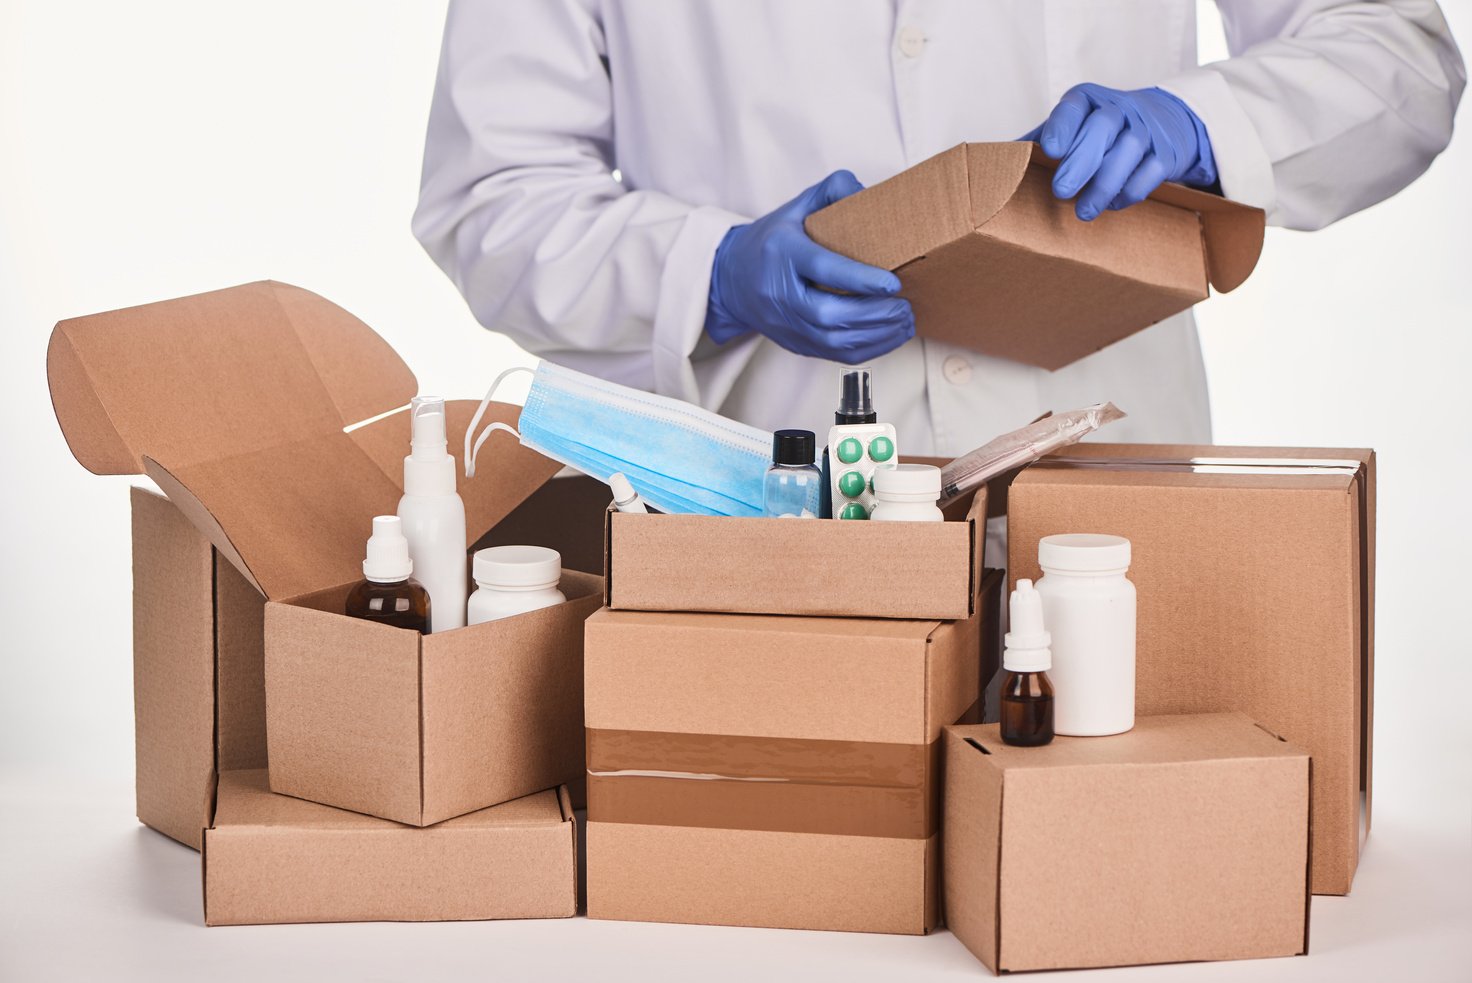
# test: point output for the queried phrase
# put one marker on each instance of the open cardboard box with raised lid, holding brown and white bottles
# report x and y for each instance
(261, 411)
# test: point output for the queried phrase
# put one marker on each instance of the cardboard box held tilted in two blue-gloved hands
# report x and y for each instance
(994, 263)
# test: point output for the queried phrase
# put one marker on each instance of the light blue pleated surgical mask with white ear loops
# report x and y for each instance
(681, 458)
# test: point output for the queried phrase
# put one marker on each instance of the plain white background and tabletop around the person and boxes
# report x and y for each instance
(160, 149)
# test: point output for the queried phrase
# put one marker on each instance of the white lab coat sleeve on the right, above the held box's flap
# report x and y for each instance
(1326, 107)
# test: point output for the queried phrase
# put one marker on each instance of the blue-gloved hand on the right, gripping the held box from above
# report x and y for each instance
(1119, 146)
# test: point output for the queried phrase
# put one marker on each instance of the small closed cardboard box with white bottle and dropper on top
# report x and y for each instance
(1183, 840)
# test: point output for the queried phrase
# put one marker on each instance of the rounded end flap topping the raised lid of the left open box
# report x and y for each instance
(214, 376)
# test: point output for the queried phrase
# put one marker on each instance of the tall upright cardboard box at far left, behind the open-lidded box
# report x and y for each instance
(198, 670)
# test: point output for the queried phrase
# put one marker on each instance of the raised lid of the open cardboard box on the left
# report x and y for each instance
(236, 404)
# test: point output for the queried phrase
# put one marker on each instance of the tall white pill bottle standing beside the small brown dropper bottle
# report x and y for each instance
(1089, 606)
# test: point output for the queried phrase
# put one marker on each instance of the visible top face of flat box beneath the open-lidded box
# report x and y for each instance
(247, 801)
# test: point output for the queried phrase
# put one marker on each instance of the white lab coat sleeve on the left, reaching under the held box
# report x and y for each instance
(520, 207)
